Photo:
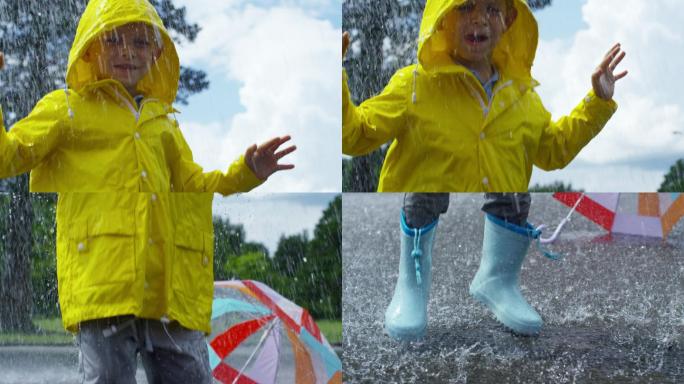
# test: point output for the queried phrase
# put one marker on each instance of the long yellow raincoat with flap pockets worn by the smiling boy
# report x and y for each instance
(125, 245)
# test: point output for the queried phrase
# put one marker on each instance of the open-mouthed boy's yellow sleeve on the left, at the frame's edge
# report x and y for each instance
(377, 120)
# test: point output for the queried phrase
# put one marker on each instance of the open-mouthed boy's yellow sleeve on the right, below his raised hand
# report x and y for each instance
(562, 140)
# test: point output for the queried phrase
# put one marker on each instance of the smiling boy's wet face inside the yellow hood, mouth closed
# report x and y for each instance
(125, 53)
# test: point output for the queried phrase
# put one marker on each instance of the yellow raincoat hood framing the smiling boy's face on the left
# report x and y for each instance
(104, 15)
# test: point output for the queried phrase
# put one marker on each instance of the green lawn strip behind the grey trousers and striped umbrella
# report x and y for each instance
(50, 332)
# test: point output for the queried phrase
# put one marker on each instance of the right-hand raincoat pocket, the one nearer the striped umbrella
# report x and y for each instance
(193, 269)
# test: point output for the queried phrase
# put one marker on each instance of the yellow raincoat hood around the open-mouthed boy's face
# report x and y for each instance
(513, 55)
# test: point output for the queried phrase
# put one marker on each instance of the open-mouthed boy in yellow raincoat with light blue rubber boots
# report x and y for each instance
(466, 118)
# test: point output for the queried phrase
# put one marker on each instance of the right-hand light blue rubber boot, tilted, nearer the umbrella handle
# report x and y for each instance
(496, 282)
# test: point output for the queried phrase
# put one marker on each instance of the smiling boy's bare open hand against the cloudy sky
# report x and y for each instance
(263, 160)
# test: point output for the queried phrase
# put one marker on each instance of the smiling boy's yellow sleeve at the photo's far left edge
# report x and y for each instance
(32, 139)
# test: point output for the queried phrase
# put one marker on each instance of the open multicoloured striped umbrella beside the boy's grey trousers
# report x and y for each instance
(258, 336)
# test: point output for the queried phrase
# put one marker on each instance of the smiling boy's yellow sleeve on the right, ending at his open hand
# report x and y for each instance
(188, 176)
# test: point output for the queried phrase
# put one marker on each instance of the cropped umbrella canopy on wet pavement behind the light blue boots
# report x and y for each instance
(645, 214)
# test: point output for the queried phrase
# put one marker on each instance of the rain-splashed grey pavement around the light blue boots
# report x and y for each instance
(613, 308)
